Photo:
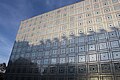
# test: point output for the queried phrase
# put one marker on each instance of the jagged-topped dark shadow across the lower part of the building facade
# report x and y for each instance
(33, 62)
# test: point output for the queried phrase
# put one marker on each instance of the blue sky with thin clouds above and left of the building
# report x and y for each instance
(13, 11)
